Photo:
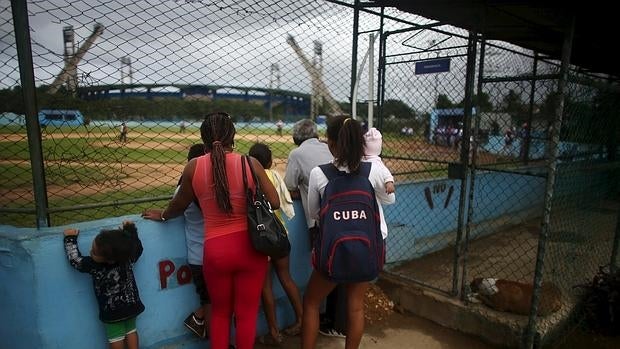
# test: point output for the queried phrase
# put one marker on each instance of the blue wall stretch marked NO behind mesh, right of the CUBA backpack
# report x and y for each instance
(418, 226)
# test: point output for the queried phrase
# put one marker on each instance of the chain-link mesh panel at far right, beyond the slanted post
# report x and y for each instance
(585, 202)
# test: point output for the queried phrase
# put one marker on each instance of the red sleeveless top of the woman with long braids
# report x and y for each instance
(217, 222)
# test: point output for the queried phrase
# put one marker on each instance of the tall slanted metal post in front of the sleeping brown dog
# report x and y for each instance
(529, 334)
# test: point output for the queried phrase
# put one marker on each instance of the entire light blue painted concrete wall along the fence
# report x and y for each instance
(44, 303)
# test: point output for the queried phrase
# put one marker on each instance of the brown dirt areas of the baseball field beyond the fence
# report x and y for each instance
(137, 176)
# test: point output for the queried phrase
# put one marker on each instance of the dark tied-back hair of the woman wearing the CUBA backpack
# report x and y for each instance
(347, 140)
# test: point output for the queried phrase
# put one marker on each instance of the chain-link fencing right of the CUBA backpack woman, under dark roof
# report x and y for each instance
(493, 230)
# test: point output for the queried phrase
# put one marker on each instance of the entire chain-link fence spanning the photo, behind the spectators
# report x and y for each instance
(121, 89)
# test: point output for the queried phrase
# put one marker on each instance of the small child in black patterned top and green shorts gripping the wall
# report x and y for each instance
(110, 264)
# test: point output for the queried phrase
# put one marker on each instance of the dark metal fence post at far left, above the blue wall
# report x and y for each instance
(26, 72)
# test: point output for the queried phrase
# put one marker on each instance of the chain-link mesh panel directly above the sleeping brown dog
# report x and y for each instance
(518, 124)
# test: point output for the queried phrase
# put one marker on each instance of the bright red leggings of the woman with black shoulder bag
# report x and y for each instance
(234, 273)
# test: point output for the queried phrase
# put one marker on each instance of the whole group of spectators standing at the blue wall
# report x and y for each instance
(230, 276)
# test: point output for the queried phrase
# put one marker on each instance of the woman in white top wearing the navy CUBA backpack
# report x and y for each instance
(344, 196)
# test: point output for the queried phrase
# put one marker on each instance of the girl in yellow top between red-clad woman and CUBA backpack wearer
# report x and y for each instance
(262, 153)
